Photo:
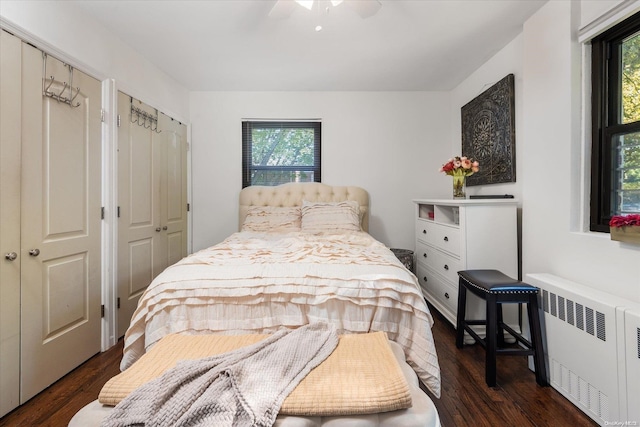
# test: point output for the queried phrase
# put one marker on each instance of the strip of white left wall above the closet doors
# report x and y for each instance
(74, 37)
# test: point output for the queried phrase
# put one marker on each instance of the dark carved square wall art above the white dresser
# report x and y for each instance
(488, 133)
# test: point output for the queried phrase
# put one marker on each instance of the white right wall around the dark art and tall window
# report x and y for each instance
(552, 155)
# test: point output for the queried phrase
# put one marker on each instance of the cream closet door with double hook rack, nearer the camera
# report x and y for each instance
(60, 224)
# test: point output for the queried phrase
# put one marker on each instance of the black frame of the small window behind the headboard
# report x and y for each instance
(247, 146)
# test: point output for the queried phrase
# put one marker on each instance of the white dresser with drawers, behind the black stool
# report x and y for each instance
(454, 235)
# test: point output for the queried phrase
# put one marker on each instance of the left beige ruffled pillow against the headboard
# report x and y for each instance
(272, 219)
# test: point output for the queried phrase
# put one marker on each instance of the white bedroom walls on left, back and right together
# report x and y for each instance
(389, 143)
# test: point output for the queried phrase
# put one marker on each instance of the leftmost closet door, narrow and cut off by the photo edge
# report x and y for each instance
(10, 117)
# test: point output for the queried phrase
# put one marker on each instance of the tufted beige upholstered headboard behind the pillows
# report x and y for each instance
(292, 194)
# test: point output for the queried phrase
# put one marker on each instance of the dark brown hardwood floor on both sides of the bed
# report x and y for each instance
(466, 400)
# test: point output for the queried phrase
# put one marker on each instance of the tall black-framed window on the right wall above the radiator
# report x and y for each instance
(615, 102)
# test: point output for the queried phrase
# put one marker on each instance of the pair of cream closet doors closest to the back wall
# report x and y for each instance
(152, 199)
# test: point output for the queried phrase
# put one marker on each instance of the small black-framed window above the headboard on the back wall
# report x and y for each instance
(275, 153)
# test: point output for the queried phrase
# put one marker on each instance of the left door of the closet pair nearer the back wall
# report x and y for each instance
(140, 235)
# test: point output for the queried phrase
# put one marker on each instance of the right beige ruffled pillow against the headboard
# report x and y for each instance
(321, 217)
